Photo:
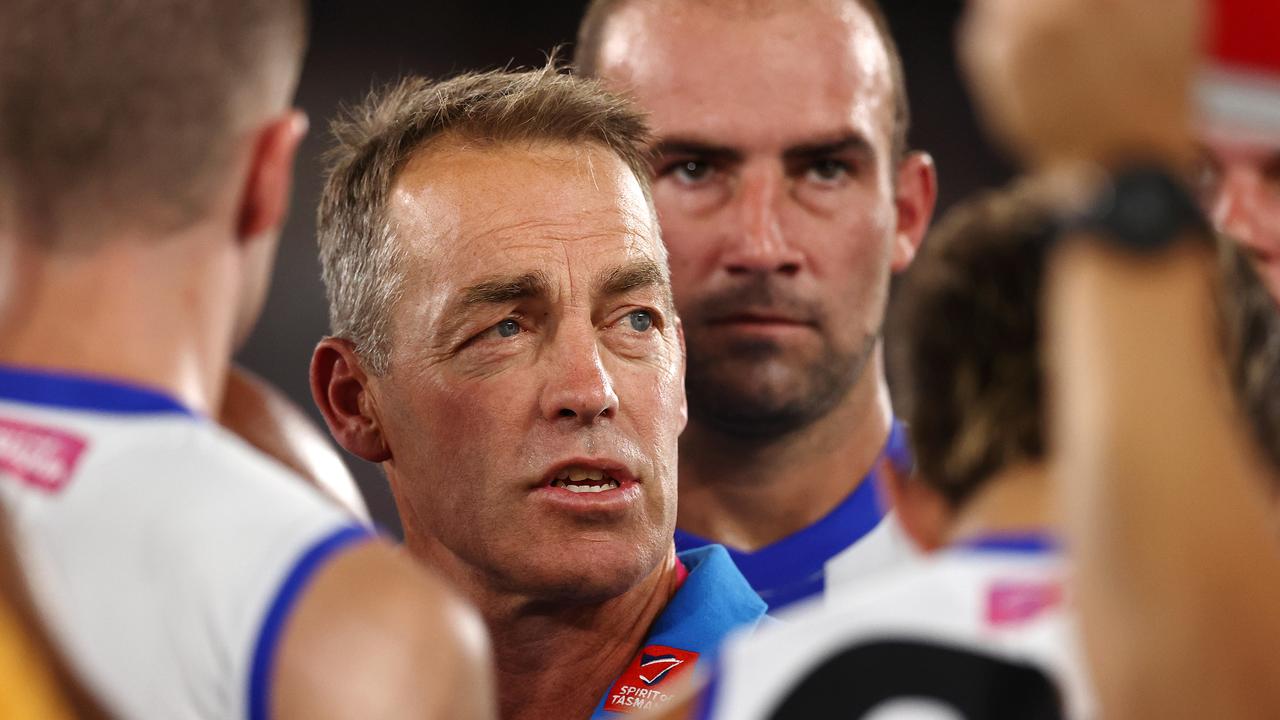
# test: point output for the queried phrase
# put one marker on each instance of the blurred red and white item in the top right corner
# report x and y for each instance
(1240, 89)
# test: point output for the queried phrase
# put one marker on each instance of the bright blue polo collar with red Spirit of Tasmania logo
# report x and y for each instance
(714, 601)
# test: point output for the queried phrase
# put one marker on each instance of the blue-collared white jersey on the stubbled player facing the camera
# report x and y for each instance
(857, 541)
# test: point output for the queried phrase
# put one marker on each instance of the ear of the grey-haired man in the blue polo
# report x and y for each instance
(340, 388)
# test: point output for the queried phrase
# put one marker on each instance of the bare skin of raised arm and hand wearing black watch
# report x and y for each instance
(1163, 490)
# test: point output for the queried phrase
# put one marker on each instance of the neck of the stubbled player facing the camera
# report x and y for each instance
(751, 493)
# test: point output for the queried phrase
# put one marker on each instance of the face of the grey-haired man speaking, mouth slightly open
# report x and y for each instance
(536, 388)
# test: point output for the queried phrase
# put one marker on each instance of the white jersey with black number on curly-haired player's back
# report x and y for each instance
(980, 631)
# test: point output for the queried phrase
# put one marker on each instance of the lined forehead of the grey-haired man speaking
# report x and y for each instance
(467, 211)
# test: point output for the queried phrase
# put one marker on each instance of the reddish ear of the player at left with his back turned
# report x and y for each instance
(269, 183)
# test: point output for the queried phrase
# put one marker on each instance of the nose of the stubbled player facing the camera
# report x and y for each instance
(757, 243)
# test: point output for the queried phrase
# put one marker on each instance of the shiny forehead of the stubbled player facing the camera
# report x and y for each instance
(755, 71)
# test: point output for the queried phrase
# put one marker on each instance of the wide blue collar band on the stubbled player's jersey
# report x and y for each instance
(793, 568)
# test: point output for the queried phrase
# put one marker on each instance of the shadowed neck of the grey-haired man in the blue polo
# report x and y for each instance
(556, 659)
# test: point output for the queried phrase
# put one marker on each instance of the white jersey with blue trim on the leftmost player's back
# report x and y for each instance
(163, 553)
